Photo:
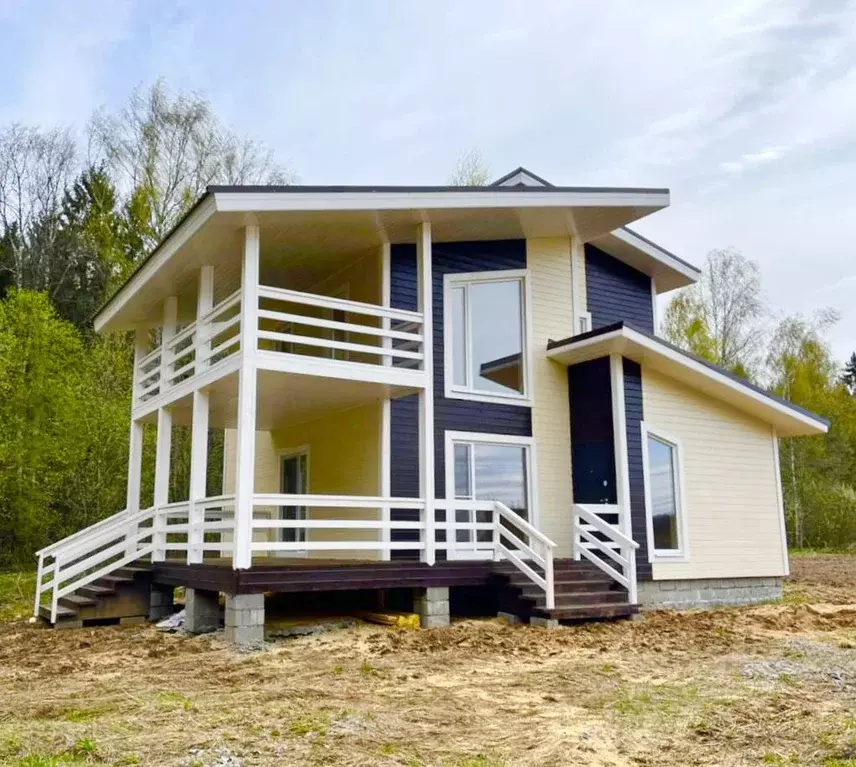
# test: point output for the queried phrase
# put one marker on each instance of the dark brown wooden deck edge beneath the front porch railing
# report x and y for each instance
(304, 575)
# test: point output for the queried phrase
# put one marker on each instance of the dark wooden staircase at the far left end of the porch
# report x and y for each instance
(121, 597)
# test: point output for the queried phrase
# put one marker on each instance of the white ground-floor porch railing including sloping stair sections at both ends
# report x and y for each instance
(355, 524)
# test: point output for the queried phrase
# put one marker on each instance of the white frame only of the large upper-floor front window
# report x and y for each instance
(460, 279)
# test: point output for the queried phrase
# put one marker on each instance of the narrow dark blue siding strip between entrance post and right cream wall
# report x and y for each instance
(633, 418)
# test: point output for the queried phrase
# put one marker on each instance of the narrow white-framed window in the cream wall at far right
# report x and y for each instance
(664, 497)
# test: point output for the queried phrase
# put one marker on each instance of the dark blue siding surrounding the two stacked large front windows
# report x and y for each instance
(449, 414)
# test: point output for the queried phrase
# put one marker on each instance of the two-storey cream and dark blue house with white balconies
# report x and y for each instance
(456, 396)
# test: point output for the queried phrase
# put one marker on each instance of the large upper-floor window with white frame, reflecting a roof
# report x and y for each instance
(485, 336)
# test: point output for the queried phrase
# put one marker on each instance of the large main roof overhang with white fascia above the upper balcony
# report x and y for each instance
(353, 218)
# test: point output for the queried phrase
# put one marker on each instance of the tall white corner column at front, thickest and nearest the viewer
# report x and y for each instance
(247, 378)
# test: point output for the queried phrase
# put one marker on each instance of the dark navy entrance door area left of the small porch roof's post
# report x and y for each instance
(592, 443)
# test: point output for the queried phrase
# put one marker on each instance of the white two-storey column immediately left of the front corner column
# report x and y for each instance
(199, 426)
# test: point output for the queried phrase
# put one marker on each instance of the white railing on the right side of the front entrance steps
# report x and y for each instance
(605, 545)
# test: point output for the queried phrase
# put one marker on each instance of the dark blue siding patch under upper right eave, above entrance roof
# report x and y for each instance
(616, 292)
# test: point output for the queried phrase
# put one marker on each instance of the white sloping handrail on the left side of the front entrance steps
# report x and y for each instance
(523, 554)
